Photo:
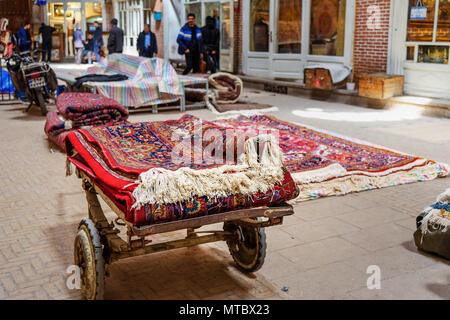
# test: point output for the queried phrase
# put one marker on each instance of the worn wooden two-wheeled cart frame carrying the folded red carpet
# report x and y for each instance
(97, 244)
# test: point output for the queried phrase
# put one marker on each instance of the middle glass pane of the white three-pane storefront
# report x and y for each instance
(289, 31)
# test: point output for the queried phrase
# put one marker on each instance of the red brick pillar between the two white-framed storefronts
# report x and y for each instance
(371, 39)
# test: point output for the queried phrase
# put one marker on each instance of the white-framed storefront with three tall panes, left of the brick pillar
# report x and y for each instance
(281, 36)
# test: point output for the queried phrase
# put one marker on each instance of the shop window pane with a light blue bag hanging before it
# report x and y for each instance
(421, 28)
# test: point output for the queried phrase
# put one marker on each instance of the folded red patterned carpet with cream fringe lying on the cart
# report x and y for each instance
(136, 167)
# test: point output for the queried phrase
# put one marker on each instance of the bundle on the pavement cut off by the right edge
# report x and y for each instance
(433, 227)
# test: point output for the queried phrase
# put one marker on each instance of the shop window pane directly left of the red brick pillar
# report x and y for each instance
(327, 29)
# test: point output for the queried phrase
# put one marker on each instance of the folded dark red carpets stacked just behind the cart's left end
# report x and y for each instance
(76, 110)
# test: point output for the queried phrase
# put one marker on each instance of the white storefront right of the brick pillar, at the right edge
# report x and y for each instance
(420, 46)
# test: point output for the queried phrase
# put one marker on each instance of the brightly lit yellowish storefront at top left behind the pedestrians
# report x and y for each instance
(63, 15)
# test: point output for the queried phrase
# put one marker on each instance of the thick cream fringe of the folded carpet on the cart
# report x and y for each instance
(249, 176)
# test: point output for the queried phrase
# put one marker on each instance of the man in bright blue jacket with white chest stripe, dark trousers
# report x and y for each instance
(190, 44)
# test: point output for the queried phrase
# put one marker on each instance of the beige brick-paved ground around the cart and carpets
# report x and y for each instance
(323, 251)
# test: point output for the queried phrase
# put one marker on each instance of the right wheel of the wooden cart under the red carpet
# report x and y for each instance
(249, 249)
